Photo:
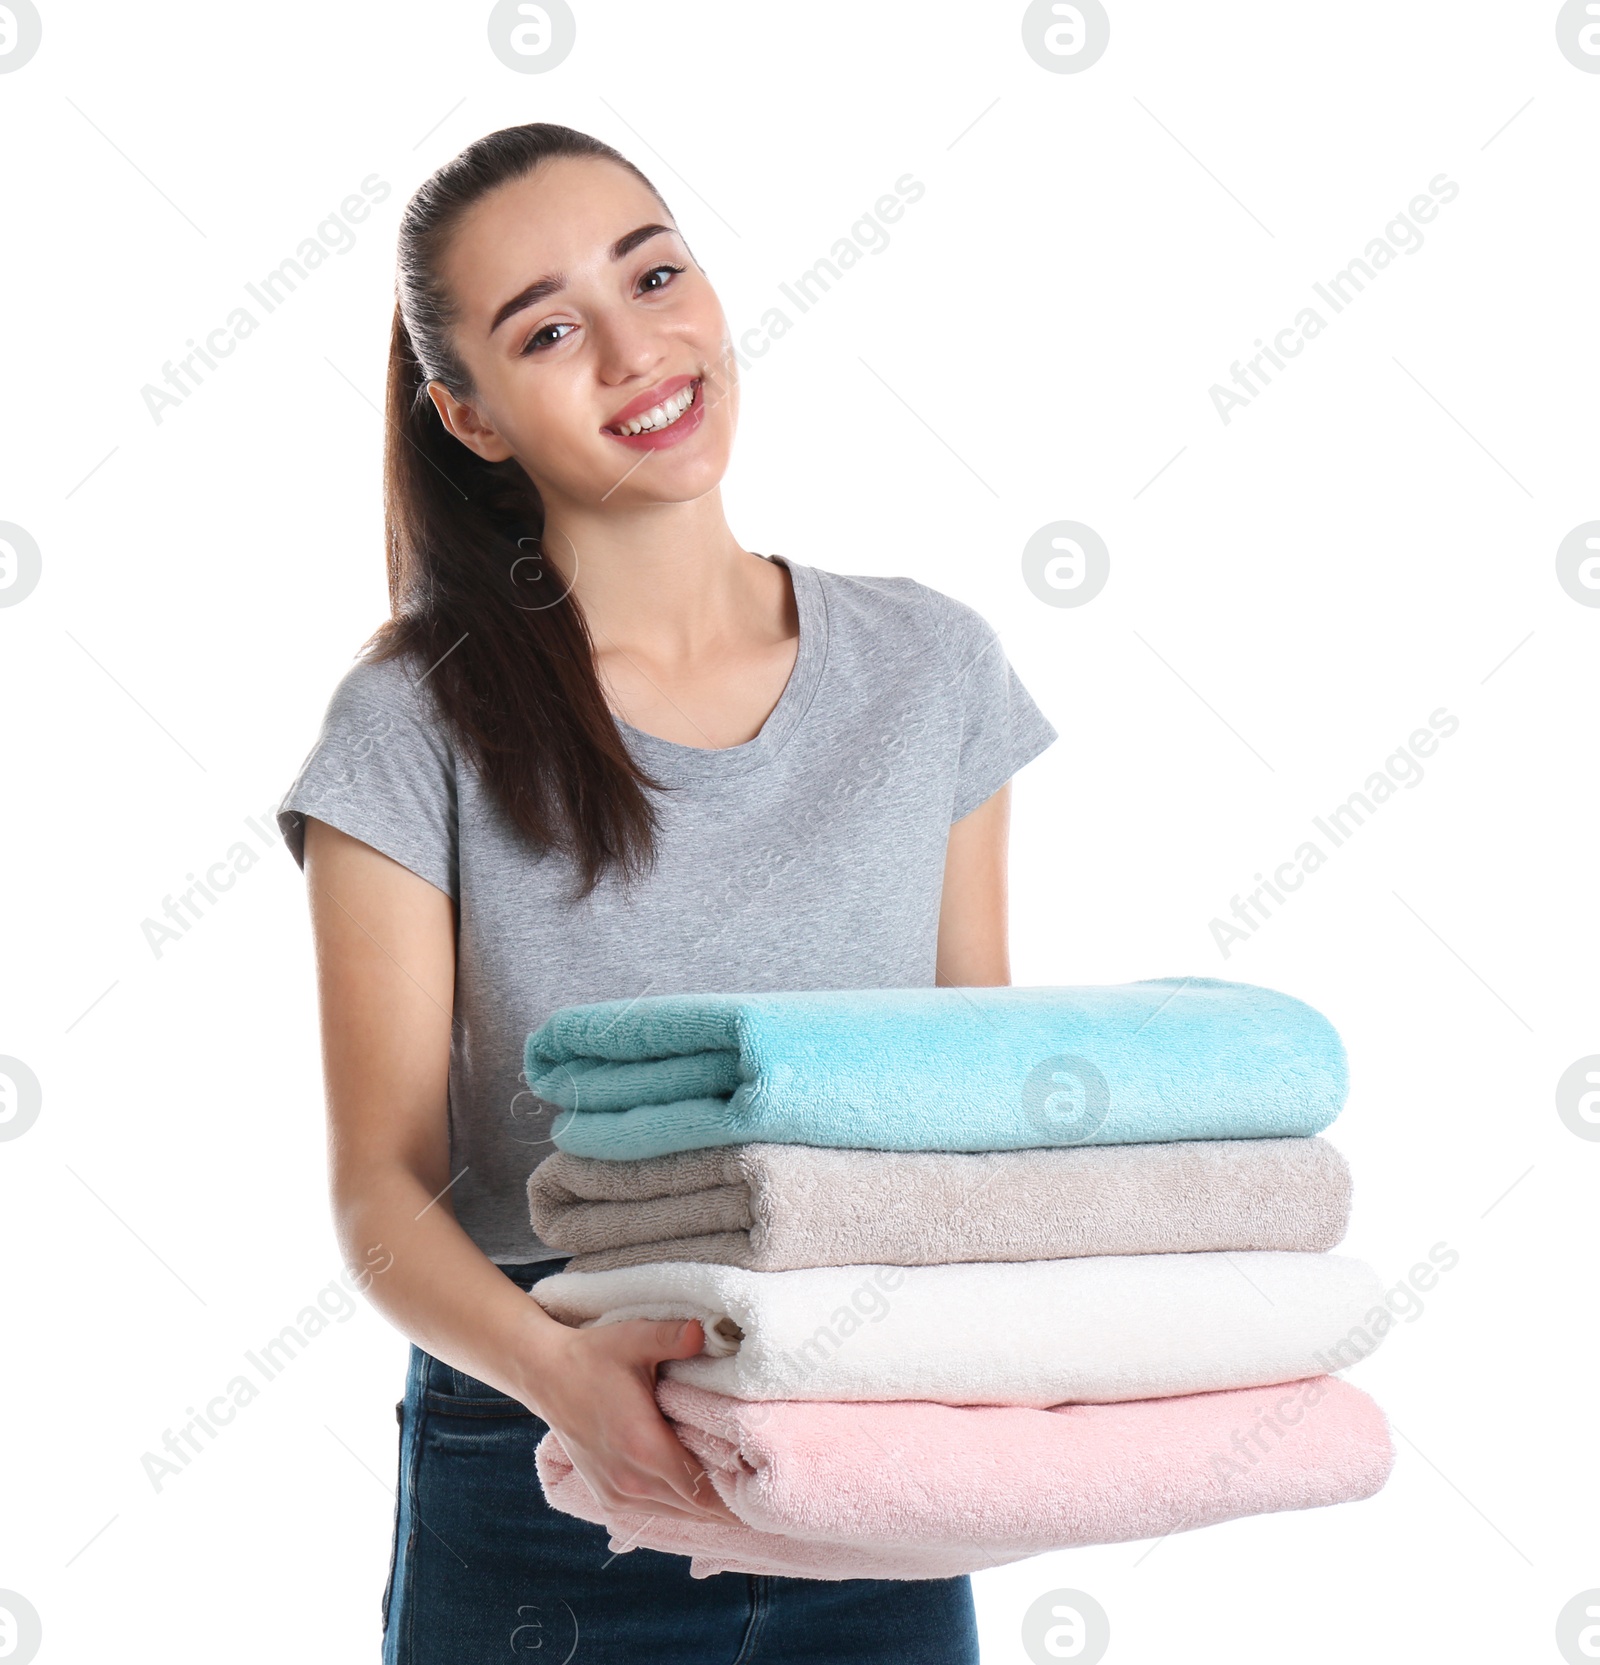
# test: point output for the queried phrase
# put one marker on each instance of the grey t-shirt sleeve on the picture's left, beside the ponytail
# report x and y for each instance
(384, 772)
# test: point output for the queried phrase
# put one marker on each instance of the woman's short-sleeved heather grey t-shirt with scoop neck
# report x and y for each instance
(808, 858)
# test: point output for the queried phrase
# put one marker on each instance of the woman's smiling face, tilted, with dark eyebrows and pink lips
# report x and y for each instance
(597, 345)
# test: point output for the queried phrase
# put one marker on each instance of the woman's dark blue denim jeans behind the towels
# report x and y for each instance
(485, 1568)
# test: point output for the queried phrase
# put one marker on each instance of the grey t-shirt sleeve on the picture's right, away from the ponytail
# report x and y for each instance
(1001, 728)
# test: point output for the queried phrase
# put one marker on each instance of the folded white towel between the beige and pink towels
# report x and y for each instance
(1026, 1333)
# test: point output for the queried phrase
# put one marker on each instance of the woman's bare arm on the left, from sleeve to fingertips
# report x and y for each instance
(385, 965)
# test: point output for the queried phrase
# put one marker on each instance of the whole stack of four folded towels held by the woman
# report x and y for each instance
(983, 1273)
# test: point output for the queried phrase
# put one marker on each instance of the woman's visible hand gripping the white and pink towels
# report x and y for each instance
(597, 1391)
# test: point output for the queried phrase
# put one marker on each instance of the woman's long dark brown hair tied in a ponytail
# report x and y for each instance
(472, 602)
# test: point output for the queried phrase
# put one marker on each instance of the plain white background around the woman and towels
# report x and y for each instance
(1291, 595)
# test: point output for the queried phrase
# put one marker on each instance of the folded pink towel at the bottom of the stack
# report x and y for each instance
(922, 1491)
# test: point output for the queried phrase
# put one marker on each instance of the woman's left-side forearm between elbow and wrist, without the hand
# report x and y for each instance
(440, 1290)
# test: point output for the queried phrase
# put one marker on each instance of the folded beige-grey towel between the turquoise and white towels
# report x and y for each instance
(772, 1208)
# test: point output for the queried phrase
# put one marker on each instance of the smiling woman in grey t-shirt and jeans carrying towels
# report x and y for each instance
(602, 750)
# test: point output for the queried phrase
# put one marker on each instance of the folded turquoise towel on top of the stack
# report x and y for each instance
(938, 1070)
